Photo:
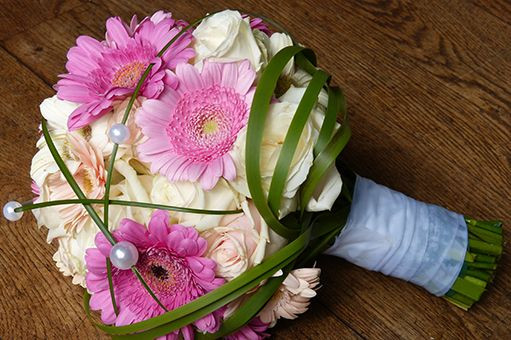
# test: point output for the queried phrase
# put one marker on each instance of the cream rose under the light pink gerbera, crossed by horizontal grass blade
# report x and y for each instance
(191, 195)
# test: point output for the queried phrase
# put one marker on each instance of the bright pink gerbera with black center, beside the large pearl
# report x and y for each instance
(171, 262)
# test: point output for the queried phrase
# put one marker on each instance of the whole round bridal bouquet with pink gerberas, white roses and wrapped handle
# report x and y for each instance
(190, 176)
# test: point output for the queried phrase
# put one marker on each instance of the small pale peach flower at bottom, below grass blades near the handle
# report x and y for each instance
(292, 297)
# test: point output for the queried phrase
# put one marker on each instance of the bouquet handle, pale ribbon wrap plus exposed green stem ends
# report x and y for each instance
(442, 251)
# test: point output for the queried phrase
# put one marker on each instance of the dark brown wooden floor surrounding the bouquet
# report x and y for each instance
(428, 87)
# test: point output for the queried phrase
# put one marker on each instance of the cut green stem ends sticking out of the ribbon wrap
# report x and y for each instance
(485, 245)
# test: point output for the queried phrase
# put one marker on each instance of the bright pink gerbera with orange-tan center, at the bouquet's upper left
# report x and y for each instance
(101, 72)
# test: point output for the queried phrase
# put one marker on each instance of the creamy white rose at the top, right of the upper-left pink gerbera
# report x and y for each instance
(226, 36)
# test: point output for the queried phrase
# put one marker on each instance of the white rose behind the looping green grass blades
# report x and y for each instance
(277, 123)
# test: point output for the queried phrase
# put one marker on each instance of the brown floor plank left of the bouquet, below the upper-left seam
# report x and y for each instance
(35, 300)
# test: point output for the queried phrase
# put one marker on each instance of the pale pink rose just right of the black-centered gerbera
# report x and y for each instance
(238, 243)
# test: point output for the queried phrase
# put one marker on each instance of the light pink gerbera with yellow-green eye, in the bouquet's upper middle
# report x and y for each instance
(191, 129)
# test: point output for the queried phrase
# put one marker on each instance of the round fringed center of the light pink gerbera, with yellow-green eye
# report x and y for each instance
(205, 123)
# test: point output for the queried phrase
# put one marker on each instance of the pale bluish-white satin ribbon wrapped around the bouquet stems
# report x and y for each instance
(392, 233)
